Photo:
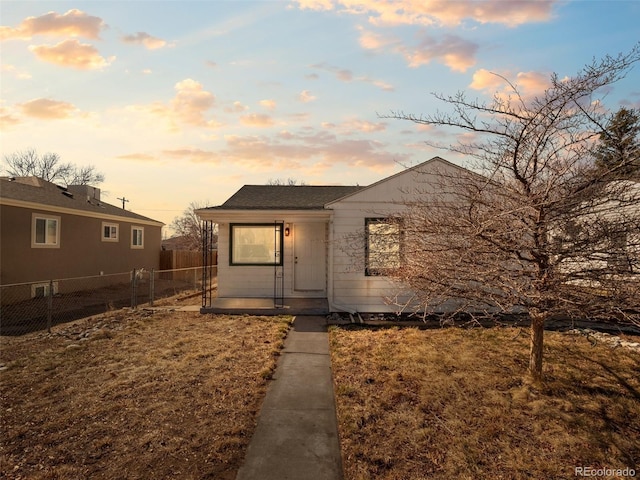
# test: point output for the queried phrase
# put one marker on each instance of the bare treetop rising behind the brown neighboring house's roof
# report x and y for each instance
(49, 167)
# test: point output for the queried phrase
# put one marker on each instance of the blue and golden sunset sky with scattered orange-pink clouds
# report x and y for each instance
(181, 101)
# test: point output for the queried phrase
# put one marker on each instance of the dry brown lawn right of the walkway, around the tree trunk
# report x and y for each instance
(452, 404)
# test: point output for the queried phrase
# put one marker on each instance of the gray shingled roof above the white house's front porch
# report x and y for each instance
(285, 197)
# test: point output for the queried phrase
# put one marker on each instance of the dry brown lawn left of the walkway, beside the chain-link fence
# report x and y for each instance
(143, 395)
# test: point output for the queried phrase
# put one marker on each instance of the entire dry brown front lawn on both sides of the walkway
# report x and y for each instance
(142, 394)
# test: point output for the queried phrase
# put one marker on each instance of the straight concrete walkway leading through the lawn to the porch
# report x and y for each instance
(297, 433)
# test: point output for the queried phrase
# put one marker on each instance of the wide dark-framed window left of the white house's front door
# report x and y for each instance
(256, 244)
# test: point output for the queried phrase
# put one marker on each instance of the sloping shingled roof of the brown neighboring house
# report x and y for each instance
(35, 190)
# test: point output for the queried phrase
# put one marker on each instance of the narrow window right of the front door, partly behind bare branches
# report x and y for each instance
(382, 246)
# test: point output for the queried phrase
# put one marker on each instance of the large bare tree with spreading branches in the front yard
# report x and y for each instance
(536, 228)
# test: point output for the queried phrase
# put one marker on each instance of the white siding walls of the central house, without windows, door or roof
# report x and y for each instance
(348, 288)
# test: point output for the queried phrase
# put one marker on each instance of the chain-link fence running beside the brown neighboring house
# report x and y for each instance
(28, 307)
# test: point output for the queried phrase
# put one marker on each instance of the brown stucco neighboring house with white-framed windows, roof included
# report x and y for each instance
(51, 232)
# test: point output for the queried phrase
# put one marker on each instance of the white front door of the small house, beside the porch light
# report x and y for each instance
(310, 248)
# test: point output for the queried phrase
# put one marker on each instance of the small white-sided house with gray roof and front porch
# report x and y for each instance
(278, 244)
